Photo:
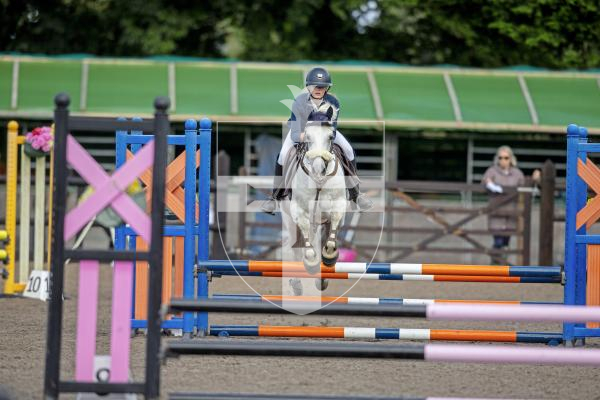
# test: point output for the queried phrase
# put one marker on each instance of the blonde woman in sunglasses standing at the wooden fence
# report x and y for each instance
(497, 179)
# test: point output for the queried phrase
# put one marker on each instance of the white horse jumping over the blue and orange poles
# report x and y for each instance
(318, 203)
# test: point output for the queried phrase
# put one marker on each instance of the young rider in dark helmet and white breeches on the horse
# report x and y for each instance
(315, 100)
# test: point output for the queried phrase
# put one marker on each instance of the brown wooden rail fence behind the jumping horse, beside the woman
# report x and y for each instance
(449, 220)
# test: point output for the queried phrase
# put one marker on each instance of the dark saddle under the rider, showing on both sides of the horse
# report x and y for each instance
(294, 159)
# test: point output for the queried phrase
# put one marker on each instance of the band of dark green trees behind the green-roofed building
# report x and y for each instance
(479, 33)
